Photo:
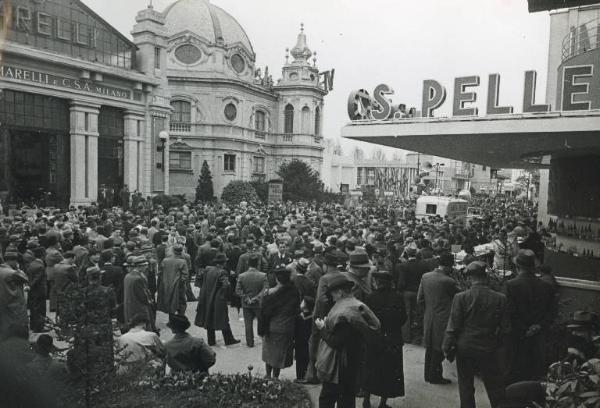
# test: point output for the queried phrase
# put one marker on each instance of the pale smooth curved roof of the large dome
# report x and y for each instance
(208, 21)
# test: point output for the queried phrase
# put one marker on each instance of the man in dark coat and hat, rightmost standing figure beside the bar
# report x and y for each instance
(532, 309)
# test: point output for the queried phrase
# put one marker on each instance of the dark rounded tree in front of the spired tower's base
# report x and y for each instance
(300, 181)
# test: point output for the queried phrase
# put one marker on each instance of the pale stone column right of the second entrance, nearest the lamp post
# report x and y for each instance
(133, 145)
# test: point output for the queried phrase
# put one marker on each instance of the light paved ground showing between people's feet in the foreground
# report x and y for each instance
(237, 358)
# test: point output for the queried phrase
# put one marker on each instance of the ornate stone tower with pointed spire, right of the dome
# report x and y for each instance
(301, 95)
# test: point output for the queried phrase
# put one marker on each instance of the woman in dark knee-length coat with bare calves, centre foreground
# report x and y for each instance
(280, 306)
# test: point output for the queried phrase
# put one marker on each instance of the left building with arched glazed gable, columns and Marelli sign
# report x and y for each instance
(76, 106)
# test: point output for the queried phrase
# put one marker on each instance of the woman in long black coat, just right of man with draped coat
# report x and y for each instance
(384, 357)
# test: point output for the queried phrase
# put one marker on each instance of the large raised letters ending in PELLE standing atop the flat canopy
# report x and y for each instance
(576, 87)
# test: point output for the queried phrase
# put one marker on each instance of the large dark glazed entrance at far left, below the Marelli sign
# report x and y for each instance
(34, 150)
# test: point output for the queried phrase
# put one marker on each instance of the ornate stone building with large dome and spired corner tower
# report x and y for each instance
(225, 110)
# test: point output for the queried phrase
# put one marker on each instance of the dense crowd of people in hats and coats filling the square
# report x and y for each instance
(337, 290)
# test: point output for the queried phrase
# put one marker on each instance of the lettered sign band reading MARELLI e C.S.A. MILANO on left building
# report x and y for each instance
(44, 78)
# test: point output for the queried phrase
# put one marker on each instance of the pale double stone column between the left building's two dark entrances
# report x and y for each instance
(84, 153)
